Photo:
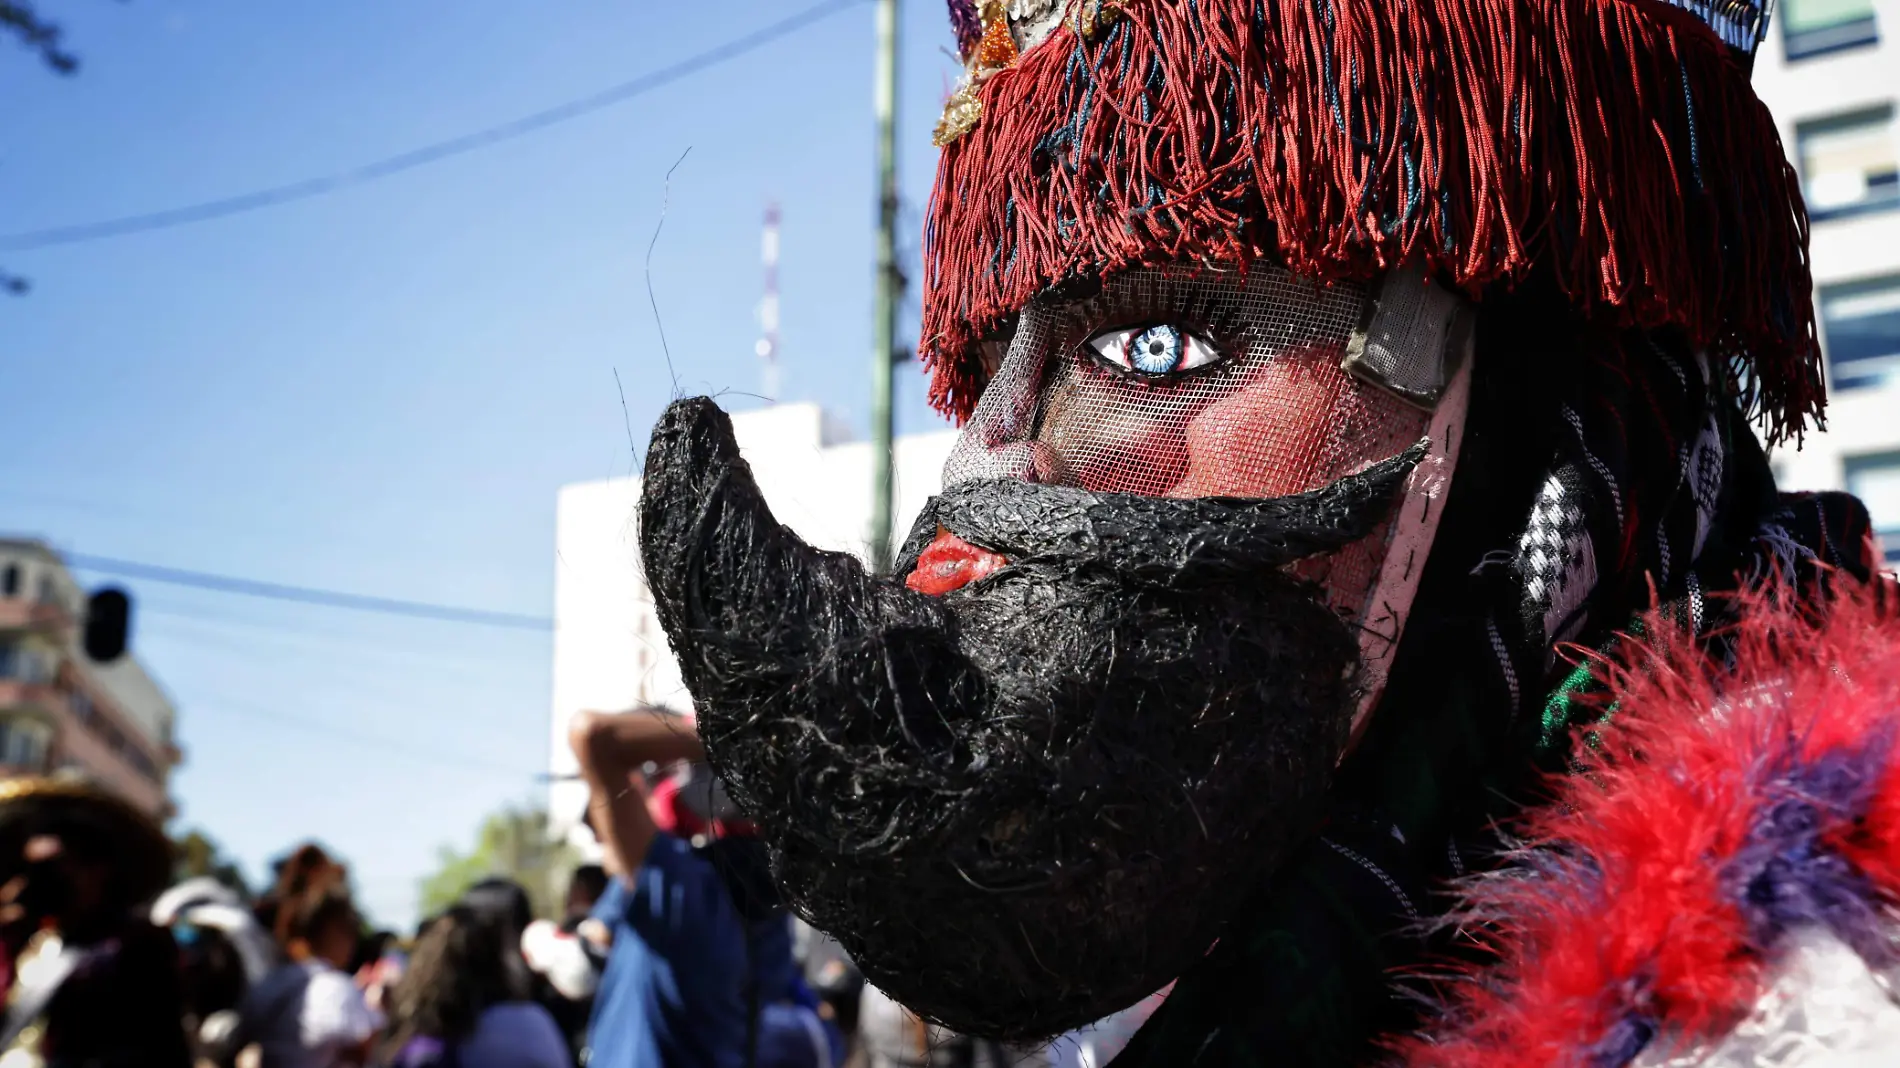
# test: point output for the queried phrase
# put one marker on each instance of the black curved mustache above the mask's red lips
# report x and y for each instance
(1164, 541)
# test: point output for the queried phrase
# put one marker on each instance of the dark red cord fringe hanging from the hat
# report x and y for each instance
(1612, 143)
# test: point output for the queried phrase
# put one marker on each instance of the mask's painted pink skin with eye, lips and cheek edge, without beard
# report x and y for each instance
(1213, 383)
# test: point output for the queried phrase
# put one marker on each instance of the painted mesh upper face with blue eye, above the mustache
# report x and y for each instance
(1187, 383)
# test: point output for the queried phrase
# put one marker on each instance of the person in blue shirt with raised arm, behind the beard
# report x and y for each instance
(700, 968)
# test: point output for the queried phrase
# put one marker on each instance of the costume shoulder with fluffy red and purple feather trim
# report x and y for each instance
(1717, 879)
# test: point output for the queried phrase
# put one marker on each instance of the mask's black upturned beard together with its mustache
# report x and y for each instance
(1035, 801)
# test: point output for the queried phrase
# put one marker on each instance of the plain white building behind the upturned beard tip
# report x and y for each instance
(611, 653)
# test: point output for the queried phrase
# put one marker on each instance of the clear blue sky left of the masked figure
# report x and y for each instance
(381, 391)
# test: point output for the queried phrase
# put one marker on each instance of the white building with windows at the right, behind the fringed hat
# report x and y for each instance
(1831, 73)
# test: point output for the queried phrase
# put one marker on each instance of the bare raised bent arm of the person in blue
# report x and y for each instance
(611, 750)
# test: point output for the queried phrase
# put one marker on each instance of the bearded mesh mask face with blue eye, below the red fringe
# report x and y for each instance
(1029, 778)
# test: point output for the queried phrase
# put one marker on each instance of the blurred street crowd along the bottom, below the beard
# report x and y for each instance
(674, 953)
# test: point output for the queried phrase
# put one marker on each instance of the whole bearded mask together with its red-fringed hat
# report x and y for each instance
(1029, 778)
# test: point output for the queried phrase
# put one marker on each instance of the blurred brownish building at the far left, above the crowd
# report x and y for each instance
(60, 710)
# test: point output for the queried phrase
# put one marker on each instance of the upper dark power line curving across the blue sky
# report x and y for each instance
(427, 155)
